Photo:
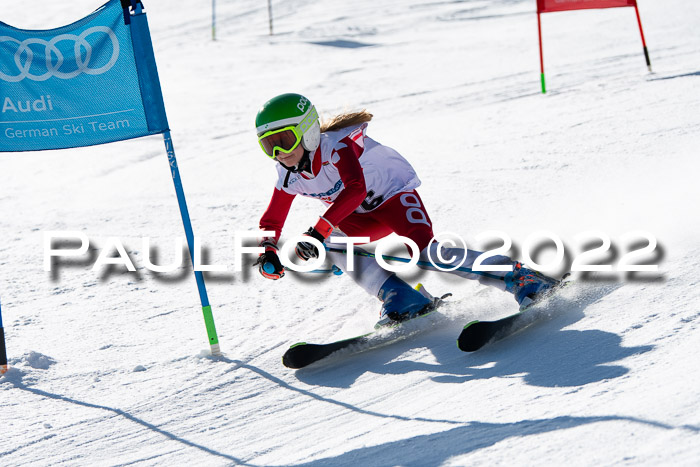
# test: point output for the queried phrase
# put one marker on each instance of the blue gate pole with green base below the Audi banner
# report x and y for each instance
(206, 308)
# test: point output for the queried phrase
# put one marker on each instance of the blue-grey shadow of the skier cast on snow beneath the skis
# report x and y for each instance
(545, 354)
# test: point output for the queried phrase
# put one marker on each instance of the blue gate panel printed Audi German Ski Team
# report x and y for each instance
(88, 83)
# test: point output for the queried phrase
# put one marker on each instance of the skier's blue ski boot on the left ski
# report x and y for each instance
(401, 302)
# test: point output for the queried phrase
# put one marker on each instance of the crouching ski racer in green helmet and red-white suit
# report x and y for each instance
(371, 192)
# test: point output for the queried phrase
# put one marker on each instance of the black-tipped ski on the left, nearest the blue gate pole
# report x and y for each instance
(303, 354)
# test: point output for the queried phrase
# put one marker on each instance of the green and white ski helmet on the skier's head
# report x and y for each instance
(290, 110)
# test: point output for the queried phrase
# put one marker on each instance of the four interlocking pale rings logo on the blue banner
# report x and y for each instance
(54, 58)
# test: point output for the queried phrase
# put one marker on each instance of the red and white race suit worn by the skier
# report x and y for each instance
(370, 191)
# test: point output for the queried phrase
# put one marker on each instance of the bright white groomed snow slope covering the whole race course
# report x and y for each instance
(113, 368)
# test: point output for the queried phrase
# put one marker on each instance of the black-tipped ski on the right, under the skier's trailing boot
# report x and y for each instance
(477, 334)
